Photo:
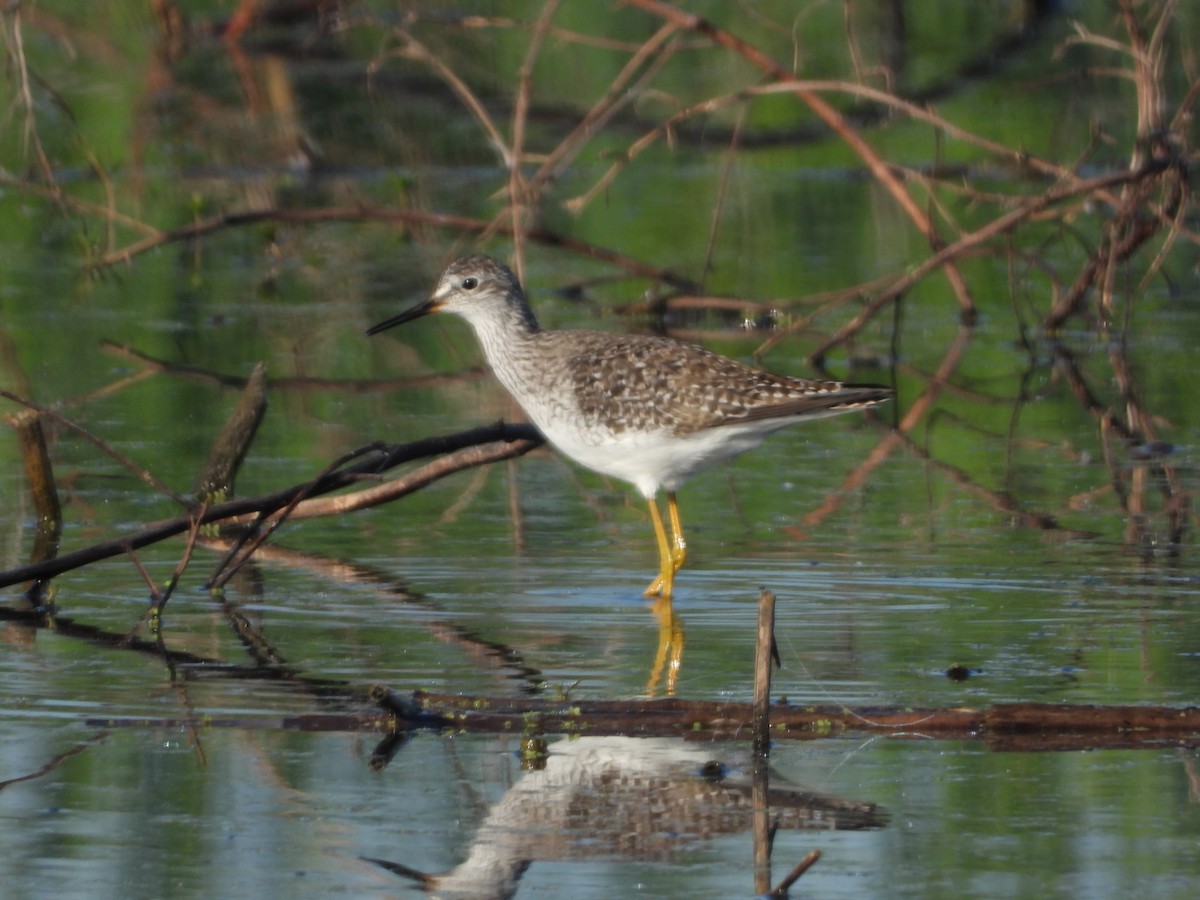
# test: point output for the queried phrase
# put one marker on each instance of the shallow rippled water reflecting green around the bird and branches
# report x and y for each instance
(526, 578)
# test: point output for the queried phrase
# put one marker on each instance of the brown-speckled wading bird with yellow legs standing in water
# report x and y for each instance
(650, 411)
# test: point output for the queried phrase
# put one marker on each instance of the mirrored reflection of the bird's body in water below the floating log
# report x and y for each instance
(641, 800)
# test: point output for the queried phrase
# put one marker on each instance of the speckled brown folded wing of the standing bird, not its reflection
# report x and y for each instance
(646, 383)
